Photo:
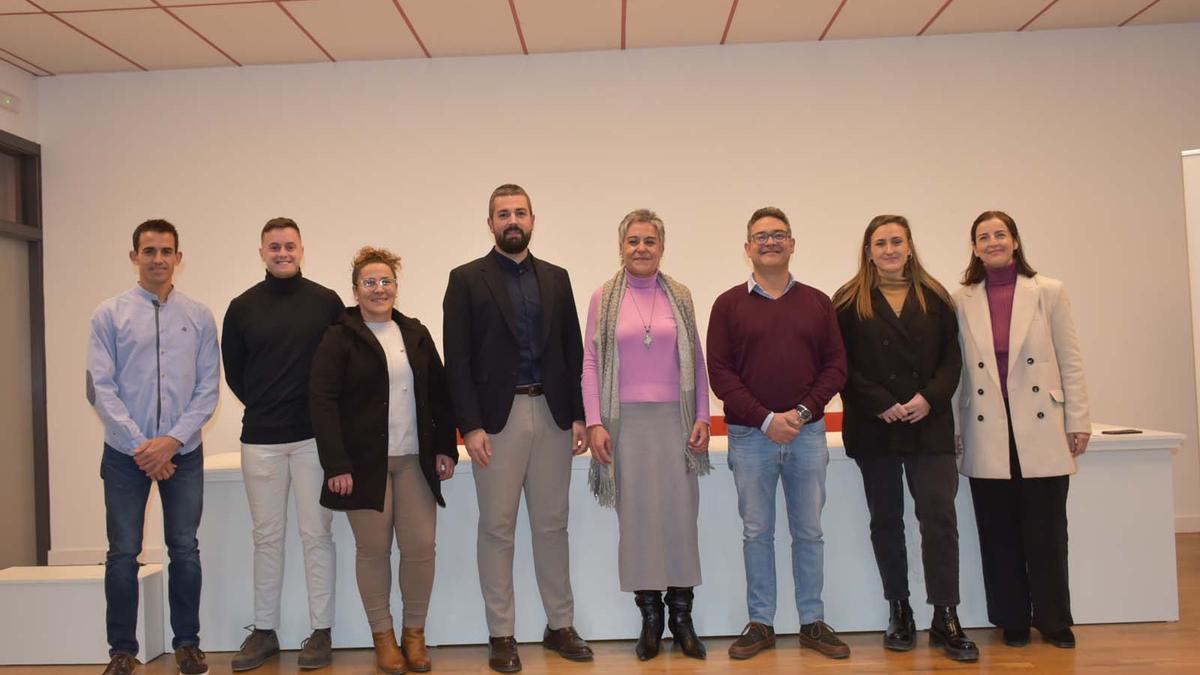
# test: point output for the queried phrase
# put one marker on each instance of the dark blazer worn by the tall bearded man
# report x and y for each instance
(482, 347)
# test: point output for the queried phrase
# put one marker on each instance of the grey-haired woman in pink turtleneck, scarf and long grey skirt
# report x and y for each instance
(646, 402)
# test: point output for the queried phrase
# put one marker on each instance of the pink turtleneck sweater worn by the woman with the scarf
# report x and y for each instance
(647, 375)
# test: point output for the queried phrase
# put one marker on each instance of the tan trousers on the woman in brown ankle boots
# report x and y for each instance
(411, 512)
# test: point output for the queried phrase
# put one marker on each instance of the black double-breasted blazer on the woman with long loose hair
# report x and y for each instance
(891, 360)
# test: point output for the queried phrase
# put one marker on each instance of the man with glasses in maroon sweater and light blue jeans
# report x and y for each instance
(776, 359)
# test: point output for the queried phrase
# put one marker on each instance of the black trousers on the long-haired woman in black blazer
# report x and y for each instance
(933, 482)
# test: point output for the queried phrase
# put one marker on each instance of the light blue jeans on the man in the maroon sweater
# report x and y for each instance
(758, 465)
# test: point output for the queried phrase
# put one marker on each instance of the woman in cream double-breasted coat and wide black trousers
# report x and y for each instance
(1022, 420)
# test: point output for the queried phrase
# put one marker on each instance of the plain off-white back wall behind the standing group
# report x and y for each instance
(1077, 134)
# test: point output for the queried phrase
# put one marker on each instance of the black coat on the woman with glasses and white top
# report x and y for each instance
(349, 398)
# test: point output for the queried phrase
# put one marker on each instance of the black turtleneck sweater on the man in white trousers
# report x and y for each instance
(269, 338)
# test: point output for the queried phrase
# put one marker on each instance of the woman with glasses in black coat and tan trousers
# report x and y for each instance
(382, 416)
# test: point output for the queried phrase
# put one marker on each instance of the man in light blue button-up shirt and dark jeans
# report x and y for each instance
(154, 372)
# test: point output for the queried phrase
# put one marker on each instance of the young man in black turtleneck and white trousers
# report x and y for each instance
(269, 338)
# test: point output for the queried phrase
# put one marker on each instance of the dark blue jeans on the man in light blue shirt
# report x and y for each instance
(127, 491)
